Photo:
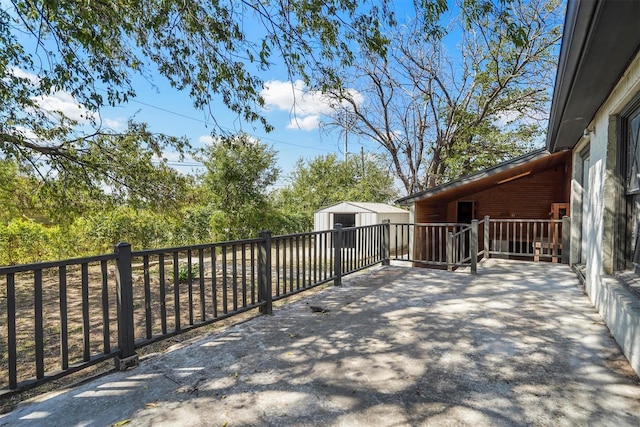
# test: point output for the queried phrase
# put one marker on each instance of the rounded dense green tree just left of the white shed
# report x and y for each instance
(239, 172)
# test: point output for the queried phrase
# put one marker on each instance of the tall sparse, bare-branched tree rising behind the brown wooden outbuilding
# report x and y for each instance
(442, 114)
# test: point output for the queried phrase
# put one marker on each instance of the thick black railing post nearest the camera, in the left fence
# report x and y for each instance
(128, 358)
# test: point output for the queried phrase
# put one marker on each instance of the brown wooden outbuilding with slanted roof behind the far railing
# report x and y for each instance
(532, 186)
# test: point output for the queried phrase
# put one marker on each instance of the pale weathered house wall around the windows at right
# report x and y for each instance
(617, 305)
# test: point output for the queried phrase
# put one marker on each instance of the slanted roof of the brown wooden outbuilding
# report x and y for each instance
(519, 167)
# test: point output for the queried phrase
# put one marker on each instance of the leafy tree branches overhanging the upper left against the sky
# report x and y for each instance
(90, 52)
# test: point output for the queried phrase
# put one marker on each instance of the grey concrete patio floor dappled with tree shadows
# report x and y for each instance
(517, 344)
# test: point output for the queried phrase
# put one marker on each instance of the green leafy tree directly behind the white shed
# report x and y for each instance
(326, 180)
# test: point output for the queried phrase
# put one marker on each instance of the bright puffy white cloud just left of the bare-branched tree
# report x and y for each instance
(306, 106)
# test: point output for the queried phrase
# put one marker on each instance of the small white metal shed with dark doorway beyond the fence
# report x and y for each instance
(357, 214)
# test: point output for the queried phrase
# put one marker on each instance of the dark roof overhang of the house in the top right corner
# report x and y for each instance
(600, 38)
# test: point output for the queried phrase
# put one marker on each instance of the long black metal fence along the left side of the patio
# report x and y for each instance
(63, 316)
